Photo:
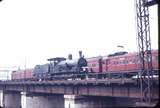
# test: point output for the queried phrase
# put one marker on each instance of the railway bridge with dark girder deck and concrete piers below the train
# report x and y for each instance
(45, 94)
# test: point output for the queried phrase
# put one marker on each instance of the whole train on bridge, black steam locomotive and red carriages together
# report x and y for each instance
(119, 64)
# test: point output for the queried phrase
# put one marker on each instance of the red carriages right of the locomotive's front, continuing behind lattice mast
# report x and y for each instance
(125, 63)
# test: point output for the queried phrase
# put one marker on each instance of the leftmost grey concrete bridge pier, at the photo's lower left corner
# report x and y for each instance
(11, 99)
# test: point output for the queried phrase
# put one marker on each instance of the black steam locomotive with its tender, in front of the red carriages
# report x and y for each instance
(61, 67)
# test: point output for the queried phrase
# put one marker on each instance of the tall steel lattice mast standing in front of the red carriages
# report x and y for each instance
(144, 45)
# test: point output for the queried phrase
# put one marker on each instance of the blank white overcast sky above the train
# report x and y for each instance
(36, 30)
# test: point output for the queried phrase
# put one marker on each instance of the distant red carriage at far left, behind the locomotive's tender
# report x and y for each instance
(22, 74)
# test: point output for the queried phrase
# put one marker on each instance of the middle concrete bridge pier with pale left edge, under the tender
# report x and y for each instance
(42, 100)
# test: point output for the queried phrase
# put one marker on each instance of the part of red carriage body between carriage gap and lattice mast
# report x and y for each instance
(123, 63)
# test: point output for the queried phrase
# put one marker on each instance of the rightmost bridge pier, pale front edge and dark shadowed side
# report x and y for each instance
(72, 101)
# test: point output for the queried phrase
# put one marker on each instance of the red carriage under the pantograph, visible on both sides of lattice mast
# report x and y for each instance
(128, 62)
